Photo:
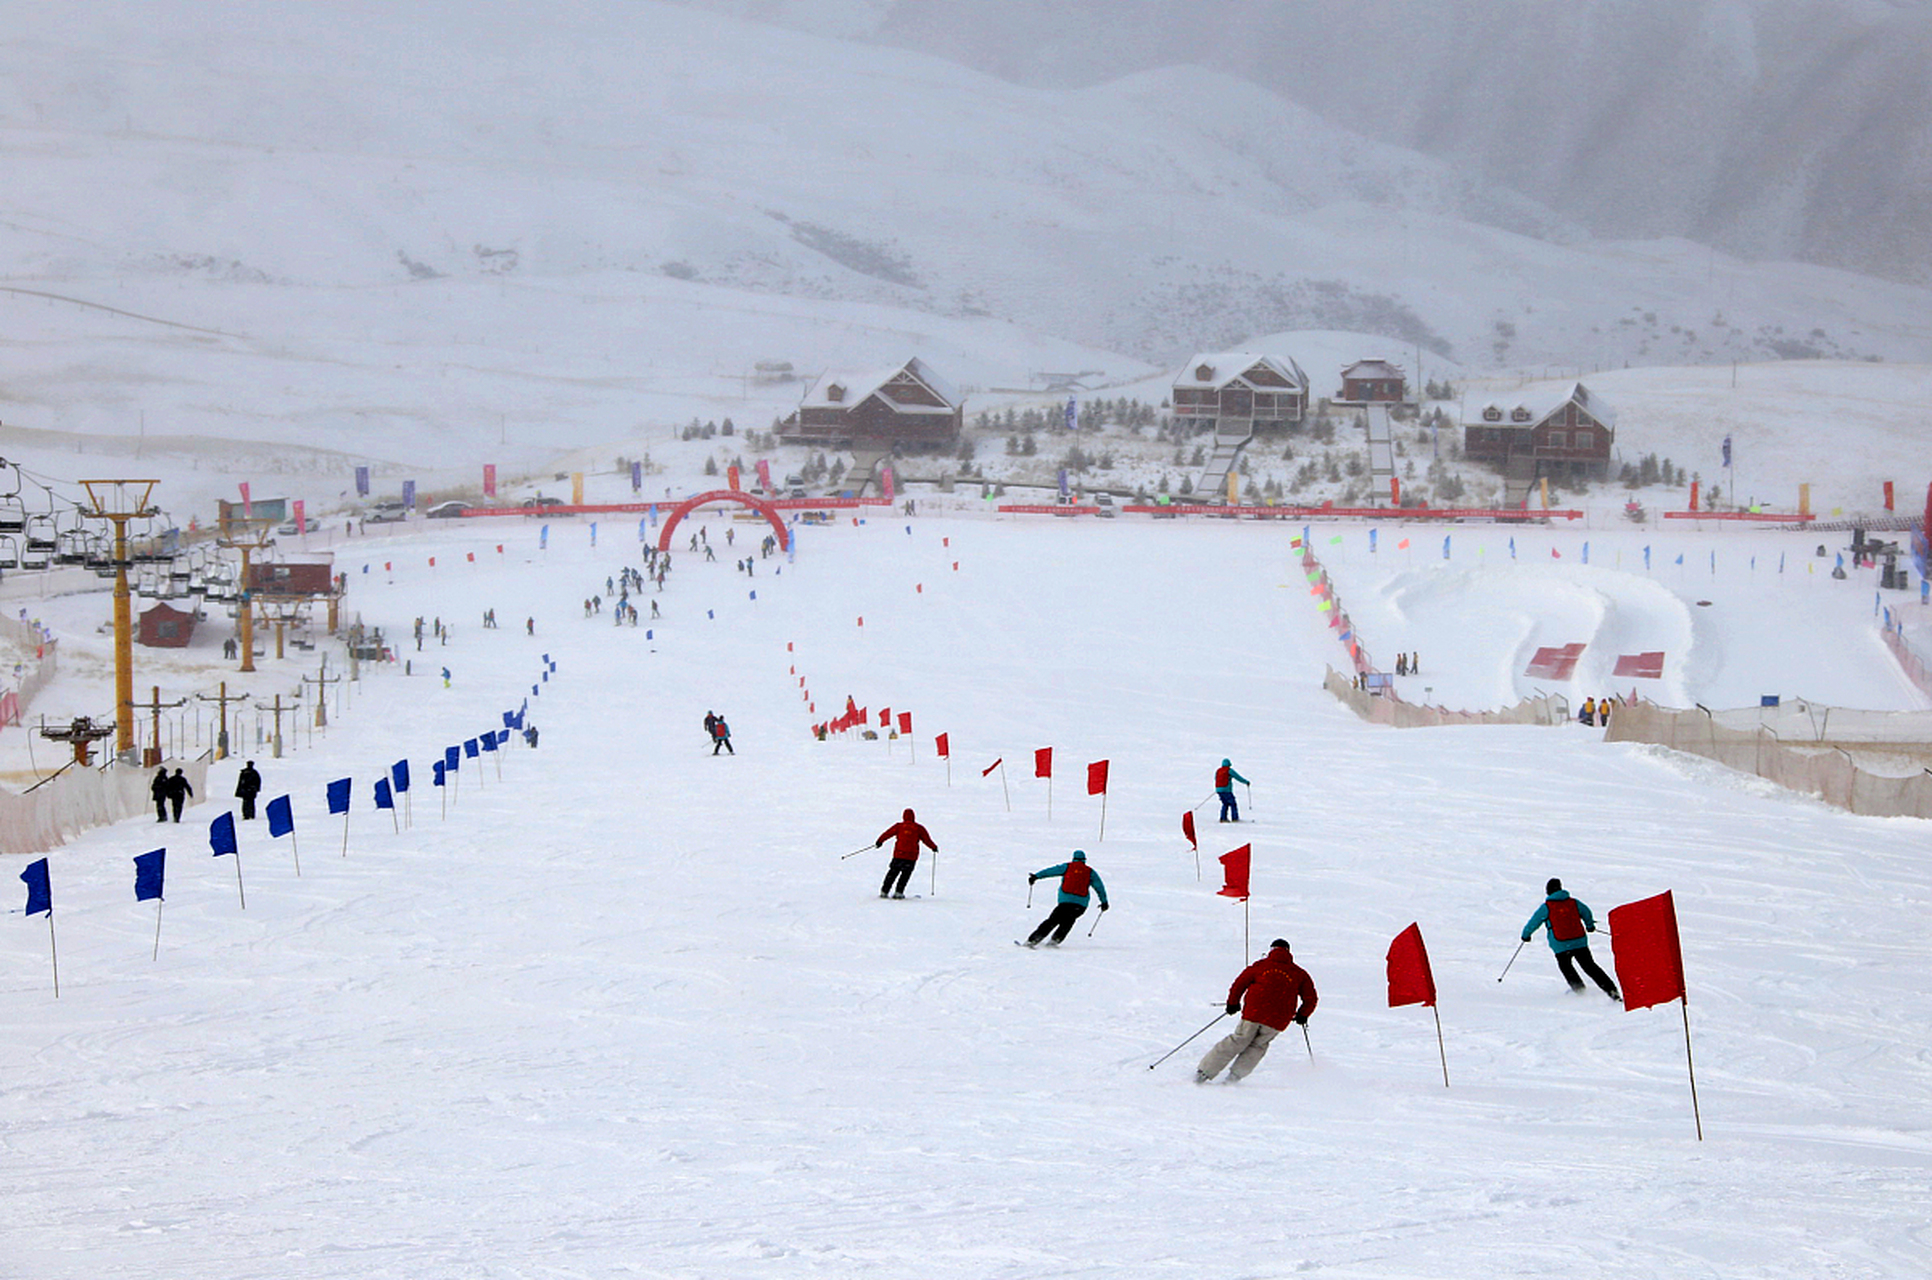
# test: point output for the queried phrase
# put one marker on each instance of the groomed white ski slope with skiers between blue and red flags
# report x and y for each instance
(629, 1015)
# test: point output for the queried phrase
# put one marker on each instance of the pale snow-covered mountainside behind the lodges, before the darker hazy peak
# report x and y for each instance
(401, 237)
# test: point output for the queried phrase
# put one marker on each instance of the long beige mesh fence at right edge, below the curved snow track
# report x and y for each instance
(1865, 762)
